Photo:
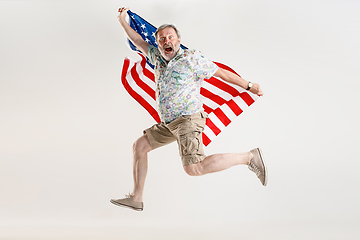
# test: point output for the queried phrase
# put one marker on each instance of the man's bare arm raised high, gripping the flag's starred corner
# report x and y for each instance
(134, 37)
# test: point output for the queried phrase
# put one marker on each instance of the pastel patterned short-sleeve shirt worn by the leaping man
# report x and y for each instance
(178, 82)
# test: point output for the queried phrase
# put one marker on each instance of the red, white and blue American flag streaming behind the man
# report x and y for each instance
(222, 101)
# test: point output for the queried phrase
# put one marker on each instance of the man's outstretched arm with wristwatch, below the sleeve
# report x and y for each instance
(230, 77)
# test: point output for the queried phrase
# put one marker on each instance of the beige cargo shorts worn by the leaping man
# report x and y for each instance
(187, 131)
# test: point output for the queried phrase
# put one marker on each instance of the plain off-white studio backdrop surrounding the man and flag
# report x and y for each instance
(67, 125)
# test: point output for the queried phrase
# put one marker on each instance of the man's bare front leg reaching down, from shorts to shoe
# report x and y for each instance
(141, 148)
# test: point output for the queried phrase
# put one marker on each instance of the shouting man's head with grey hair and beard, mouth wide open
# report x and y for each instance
(168, 43)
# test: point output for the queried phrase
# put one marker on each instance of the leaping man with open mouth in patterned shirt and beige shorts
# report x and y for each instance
(178, 77)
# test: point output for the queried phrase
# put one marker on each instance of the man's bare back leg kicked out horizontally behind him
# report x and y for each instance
(218, 162)
